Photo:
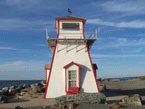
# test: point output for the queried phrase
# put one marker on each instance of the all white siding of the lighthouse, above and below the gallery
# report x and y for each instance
(65, 54)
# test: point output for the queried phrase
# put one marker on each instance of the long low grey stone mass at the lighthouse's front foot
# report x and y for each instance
(92, 98)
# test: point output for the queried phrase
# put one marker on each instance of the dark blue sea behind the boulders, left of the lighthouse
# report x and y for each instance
(9, 83)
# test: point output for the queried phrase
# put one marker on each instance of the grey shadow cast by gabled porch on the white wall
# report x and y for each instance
(83, 73)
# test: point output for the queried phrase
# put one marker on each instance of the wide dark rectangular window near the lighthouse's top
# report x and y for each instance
(70, 26)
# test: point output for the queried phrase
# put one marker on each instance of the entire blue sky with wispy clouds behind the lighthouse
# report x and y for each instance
(119, 50)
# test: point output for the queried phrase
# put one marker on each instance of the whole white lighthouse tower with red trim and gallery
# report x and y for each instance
(71, 70)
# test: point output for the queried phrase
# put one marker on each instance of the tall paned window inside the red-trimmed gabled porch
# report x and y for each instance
(72, 78)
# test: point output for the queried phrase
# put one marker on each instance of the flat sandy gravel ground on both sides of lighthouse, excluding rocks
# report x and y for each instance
(114, 92)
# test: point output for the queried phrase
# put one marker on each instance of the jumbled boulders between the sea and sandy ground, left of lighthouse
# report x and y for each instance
(21, 92)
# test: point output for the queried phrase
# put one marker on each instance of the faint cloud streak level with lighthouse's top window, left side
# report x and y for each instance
(12, 24)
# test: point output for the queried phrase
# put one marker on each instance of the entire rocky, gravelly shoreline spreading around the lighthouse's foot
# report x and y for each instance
(115, 95)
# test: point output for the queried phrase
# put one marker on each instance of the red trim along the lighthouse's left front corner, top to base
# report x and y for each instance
(47, 83)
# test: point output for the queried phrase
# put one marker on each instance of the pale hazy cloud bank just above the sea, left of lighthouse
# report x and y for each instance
(22, 70)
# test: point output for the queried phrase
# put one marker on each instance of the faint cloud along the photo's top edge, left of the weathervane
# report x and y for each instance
(37, 5)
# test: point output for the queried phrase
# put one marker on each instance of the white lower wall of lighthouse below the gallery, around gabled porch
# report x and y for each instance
(56, 85)
